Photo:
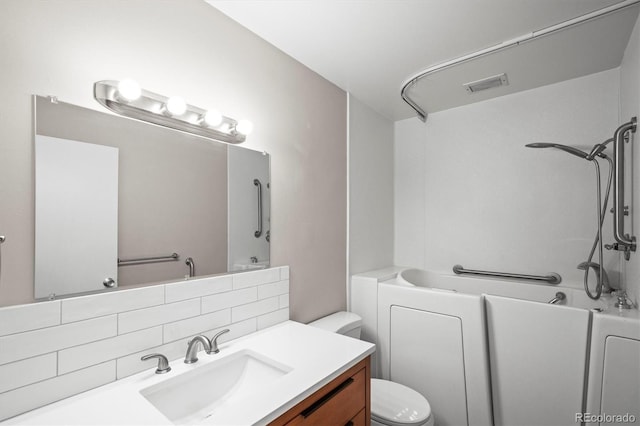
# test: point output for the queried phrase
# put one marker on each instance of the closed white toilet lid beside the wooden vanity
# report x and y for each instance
(396, 404)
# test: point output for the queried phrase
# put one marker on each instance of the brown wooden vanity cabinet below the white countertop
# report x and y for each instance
(346, 400)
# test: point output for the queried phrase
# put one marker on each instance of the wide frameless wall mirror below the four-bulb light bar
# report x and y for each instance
(120, 202)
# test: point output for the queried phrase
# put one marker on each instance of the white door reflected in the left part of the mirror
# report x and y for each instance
(76, 216)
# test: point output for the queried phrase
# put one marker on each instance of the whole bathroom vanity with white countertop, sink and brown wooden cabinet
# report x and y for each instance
(286, 374)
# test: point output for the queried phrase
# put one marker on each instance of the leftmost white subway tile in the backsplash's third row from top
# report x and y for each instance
(27, 371)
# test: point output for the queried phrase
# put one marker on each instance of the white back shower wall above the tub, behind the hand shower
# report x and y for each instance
(468, 192)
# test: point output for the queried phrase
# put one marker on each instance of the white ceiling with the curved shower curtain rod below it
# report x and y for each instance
(370, 47)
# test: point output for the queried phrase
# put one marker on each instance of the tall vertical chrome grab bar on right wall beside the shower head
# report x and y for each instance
(628, 242)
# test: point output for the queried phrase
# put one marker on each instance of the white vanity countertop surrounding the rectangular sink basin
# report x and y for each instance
(315, 356)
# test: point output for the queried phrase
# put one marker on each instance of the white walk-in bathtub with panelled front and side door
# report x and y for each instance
(494, 351)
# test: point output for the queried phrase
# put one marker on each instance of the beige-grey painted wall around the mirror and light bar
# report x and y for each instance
(184, 47)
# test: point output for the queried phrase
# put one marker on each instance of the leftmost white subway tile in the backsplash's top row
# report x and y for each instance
(18, 319)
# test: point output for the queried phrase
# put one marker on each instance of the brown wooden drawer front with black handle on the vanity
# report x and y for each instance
(338, 406)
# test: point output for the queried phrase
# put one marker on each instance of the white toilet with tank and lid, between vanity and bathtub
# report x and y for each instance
(392, 404)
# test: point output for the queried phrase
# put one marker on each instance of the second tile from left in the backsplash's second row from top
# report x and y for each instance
(157, 315)
